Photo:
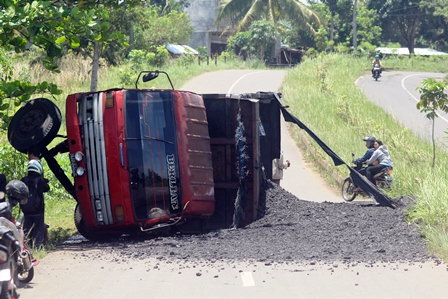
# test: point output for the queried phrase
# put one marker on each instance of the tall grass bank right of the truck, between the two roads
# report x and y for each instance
(321, 92)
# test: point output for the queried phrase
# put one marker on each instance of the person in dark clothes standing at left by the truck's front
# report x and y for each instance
(34, 209)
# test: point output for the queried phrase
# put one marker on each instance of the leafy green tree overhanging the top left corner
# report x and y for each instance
(57, 25)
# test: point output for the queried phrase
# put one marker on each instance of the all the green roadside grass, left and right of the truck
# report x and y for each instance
(322, 94)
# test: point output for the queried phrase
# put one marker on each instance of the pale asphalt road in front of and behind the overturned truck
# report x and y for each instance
(76, 273)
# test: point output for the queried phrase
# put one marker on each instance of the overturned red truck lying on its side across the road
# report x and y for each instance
(149, 159)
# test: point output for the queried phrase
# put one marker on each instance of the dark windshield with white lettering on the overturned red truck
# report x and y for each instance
(152, 155)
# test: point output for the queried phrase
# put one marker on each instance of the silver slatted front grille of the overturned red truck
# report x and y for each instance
(90, 113)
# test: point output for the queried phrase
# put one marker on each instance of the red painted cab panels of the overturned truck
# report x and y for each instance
(194, 160)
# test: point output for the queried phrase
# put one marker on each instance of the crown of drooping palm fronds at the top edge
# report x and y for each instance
(244, 12)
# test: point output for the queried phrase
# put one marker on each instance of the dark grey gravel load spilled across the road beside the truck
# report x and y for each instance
(293, 230)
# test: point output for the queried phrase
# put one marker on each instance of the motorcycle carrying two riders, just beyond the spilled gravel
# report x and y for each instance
(383, 180)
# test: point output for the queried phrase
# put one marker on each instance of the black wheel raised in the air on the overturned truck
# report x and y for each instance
(35, 124)
